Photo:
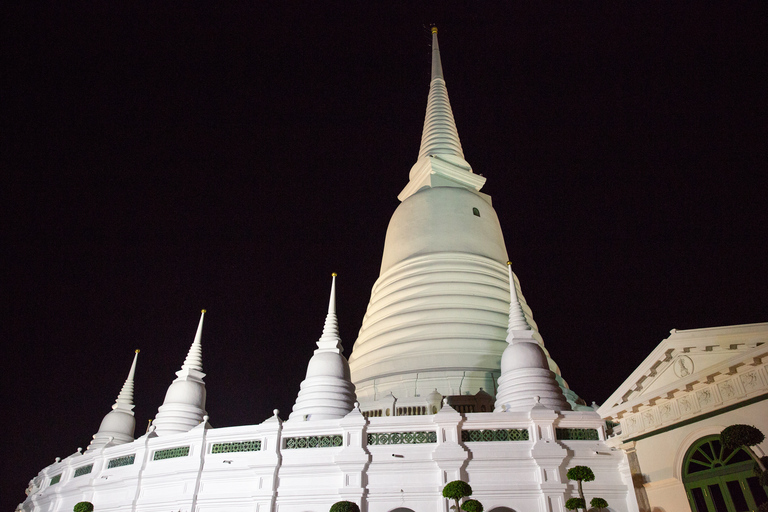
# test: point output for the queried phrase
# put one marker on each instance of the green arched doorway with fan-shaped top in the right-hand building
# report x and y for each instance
(717, 479)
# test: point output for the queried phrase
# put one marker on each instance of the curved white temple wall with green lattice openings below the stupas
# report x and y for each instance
(513, 460)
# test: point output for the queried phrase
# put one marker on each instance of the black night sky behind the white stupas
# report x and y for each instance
(161, 160)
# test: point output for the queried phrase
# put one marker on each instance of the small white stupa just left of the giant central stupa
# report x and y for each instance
(327, 391)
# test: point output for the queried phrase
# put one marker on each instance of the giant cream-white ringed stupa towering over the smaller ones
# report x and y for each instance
(437, 317)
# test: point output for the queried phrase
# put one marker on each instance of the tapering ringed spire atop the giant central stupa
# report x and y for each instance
(440, 136)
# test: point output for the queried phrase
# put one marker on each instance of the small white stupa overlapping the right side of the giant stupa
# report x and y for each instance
(526, 379)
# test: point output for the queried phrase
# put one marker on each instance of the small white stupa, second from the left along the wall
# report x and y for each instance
(184, 404)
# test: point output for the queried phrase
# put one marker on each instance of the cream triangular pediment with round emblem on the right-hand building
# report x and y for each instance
(685, 359)
